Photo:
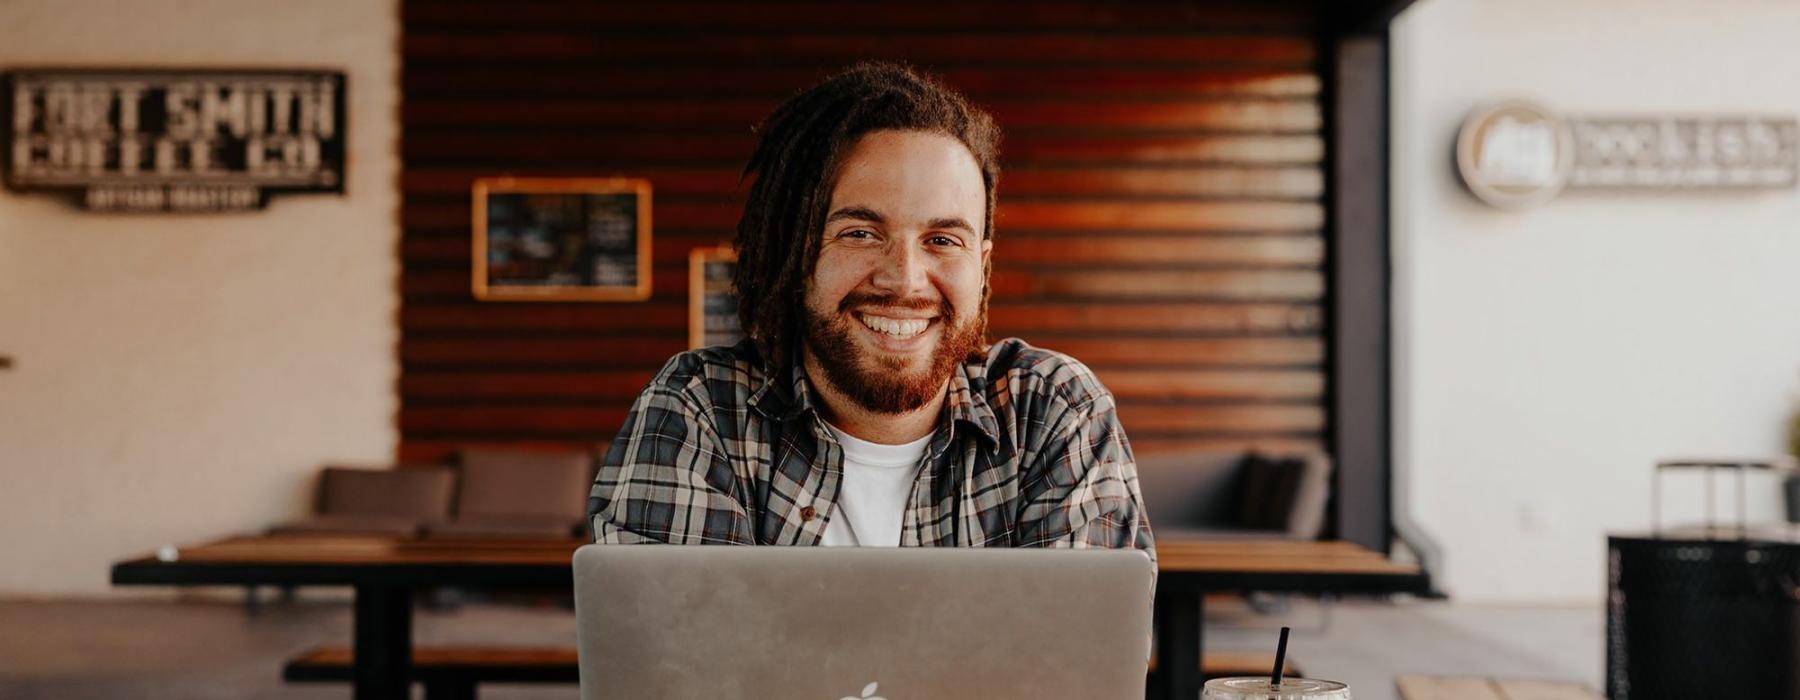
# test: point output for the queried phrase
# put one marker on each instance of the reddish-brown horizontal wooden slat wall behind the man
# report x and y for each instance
(1160, 197)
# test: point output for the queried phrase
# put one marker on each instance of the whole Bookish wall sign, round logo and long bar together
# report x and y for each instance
(1520, 154)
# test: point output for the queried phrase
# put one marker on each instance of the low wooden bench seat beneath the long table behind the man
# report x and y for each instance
(453, 672)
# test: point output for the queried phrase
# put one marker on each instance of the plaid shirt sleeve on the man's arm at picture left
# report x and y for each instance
(667, 478)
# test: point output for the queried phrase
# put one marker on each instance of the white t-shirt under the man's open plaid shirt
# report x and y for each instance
(872, 499)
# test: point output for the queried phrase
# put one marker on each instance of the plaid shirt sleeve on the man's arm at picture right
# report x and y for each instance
(1083, 487)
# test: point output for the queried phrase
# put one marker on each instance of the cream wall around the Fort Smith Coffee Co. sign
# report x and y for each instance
(184, 377)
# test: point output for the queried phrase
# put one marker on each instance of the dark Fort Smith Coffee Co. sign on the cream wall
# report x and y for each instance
(174, 139)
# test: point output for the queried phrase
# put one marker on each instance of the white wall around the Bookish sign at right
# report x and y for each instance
(1547, 359)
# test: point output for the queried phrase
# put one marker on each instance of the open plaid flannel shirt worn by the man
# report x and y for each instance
(1029, 454)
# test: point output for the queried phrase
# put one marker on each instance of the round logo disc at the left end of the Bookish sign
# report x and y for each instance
(1515, 154)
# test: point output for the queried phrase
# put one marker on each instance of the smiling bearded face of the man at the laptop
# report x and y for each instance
(895, 303)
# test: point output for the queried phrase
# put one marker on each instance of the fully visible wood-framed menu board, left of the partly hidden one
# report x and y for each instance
(562, 240)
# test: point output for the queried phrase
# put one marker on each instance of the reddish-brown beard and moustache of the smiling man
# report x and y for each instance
(881, 384)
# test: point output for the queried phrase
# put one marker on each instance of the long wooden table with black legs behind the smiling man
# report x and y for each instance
(386, 571)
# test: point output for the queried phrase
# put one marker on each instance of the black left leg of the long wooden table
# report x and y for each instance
(384, 642)
